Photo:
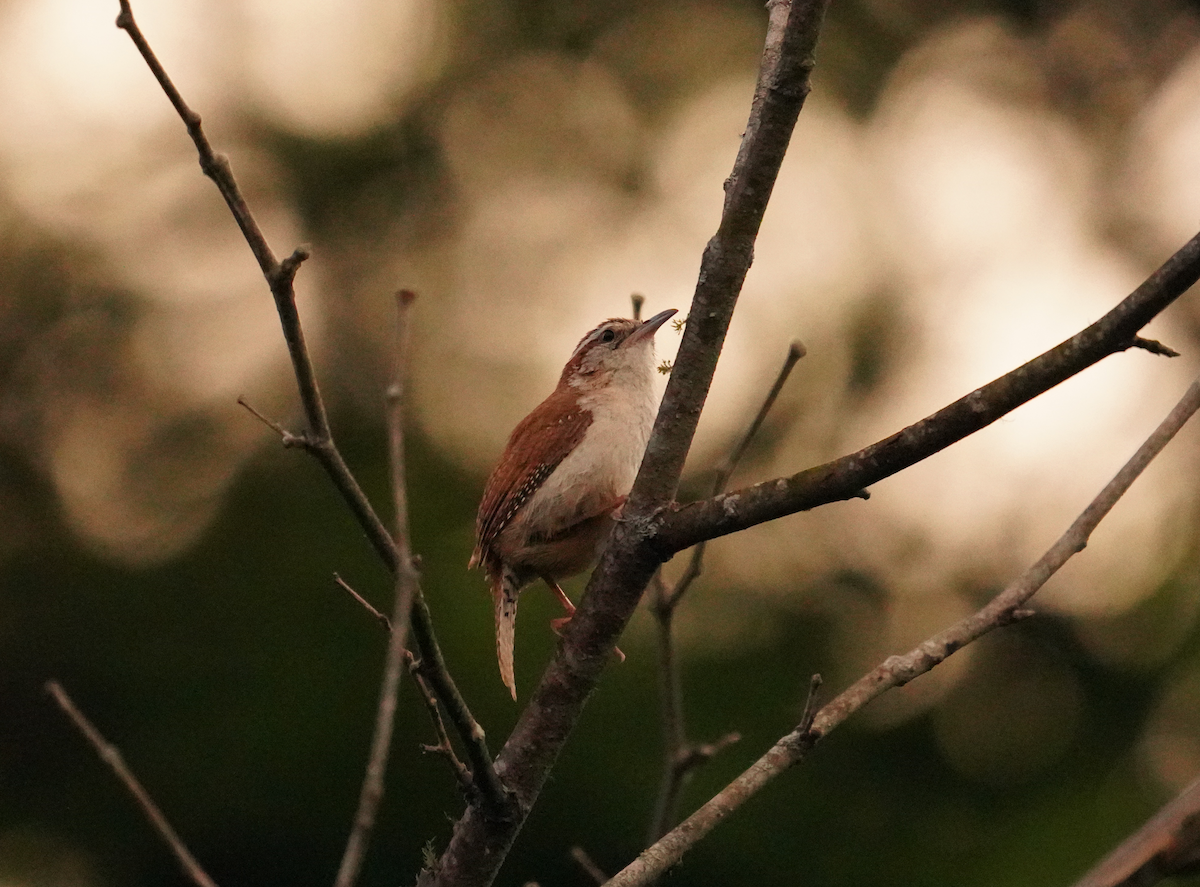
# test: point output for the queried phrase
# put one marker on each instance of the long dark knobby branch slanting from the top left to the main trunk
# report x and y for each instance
(320, 441)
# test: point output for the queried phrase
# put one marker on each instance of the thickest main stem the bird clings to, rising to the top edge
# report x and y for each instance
(478, 847)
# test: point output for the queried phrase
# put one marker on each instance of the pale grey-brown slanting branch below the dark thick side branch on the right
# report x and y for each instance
(899, 670)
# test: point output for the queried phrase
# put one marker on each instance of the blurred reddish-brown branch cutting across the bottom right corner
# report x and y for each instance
(1168, 846)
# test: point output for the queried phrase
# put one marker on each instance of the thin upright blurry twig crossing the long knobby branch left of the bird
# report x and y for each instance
(371, 795)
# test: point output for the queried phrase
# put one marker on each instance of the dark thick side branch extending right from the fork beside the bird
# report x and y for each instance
(848, 477)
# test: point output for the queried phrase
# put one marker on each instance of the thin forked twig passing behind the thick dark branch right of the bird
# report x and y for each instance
(680, 758)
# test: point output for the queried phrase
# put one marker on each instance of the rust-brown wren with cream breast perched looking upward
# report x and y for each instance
(566, 471)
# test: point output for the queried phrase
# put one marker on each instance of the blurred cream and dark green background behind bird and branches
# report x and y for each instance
(970, 183)
